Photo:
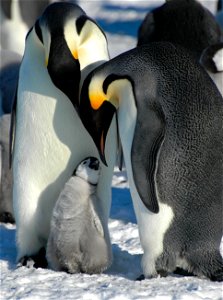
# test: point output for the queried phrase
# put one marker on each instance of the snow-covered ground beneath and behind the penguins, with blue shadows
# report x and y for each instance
(120, 20)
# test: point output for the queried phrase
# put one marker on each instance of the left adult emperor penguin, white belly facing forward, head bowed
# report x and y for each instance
(50, 139)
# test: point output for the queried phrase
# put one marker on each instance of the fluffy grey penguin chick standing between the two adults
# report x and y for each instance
(75, 225)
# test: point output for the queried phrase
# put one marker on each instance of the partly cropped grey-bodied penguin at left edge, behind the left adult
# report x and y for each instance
(9, 72)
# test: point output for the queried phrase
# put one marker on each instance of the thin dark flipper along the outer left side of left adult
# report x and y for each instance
(12, 129)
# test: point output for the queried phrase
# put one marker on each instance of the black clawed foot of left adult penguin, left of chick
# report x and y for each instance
(34, 261)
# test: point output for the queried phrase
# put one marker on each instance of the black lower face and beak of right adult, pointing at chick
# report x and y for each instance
(97, 121)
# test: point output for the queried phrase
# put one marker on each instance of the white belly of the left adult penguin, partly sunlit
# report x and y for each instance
(50, 141)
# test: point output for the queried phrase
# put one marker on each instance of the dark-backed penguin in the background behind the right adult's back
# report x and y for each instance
(184, 22)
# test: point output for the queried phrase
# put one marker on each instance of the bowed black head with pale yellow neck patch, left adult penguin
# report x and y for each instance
(67, 35)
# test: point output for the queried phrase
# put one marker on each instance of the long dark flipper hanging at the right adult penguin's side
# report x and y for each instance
(149, 134)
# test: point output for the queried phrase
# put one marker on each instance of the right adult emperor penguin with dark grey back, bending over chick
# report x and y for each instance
(171, 130)
